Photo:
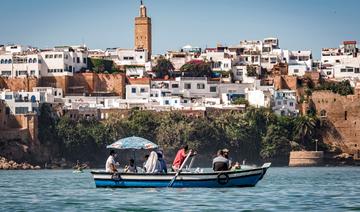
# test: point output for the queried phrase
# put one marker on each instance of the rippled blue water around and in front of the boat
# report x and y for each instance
(282, 189)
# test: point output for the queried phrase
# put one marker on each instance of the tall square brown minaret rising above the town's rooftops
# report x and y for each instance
(143, 30)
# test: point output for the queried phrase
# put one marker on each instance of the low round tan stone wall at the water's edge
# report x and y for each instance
(306, 158)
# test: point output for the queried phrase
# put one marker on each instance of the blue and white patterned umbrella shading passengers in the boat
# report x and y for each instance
(132, 143)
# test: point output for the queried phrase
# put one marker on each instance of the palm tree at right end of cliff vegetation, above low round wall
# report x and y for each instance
(305, 127)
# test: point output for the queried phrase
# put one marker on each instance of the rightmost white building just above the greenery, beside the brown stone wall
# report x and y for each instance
(285, 103)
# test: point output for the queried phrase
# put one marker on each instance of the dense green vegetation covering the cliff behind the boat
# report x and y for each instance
(254, 135)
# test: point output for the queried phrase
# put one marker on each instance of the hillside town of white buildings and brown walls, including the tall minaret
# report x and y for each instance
(80, 82)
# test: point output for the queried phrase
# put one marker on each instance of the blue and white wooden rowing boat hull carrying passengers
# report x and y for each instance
(240, 178)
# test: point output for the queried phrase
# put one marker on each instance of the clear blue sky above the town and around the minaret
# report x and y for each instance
(299, 24)
